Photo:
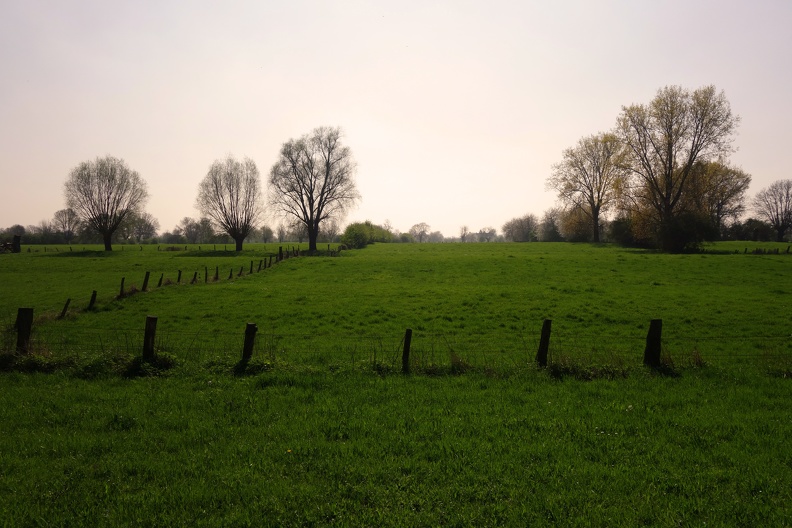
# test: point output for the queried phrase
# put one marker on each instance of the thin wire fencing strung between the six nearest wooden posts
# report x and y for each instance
(500, 349)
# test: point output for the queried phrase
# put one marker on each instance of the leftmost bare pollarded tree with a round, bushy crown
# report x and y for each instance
(103, 193)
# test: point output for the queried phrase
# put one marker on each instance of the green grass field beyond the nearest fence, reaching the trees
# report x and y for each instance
(482, 303)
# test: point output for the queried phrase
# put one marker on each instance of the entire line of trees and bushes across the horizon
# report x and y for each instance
(662, 175)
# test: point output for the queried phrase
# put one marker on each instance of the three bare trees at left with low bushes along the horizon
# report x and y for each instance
(311, 186)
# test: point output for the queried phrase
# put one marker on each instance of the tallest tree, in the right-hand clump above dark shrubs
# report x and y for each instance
(664, 139)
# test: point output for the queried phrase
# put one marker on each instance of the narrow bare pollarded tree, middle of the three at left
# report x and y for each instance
(230, 195)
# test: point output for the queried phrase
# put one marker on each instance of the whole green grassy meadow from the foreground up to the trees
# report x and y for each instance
(322, 429)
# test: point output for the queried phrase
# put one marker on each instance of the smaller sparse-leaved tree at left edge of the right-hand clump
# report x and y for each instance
(588, 175)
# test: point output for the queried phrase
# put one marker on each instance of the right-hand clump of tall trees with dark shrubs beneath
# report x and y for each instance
(664, 173)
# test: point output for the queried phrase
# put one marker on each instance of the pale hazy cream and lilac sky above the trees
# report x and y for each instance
(455, 111)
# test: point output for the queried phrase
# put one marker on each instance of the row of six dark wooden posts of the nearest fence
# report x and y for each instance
(24, 325)
